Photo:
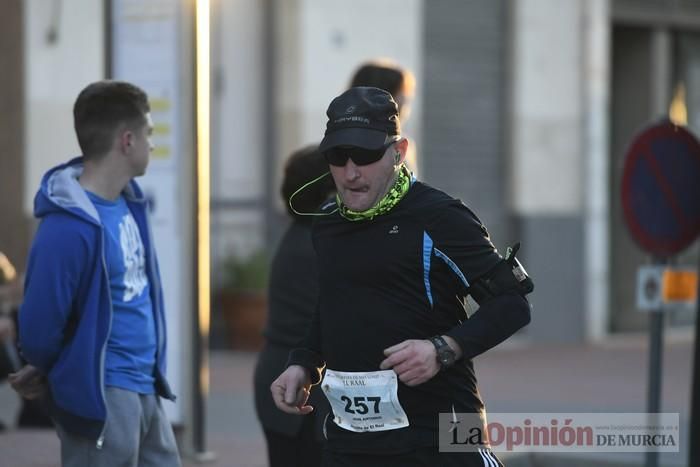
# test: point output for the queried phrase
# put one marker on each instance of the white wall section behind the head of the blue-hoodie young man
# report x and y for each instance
(55, 72)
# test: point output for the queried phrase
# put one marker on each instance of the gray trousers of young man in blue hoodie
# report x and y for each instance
(137, 434)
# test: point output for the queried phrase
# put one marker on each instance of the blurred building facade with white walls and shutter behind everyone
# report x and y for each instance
(524, 110)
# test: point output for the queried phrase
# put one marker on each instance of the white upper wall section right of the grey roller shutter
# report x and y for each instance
(547, 107)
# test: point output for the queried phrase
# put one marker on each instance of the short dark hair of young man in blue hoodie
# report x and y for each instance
(102, 108)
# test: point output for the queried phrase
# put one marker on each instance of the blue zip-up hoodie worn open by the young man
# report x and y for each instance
(65, 320)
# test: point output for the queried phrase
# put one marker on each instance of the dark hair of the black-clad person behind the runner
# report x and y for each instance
(303, 166)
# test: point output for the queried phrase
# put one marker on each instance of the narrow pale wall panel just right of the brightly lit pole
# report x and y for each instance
(238, 108)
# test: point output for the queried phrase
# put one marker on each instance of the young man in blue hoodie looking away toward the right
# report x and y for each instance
(92, 324)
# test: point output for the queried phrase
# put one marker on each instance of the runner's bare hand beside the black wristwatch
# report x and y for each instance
(414, 360)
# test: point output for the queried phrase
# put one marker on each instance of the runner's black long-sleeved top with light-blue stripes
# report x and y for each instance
(388, 279)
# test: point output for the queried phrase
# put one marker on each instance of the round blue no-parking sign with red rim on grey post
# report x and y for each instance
(661, 206)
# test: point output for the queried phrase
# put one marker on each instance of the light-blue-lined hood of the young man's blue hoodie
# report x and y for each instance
(60, 191)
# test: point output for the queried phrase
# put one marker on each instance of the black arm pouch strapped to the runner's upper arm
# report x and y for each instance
(507, 276)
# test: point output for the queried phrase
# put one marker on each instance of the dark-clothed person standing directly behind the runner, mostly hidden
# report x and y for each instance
(292, 294)
